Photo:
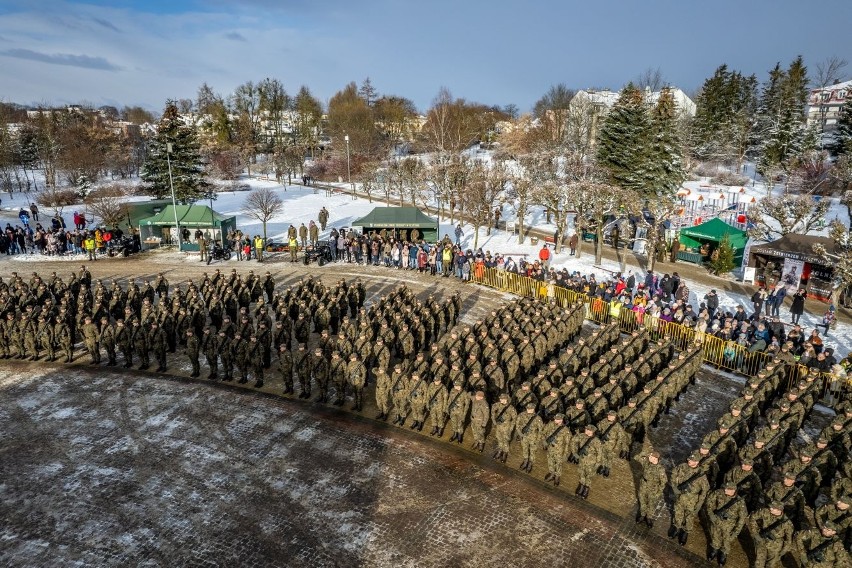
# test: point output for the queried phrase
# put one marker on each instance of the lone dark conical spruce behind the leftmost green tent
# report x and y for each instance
(186, 165)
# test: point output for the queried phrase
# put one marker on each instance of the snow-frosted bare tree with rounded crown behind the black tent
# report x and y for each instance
(777, 215)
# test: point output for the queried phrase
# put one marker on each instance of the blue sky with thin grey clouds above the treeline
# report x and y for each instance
(496, 52)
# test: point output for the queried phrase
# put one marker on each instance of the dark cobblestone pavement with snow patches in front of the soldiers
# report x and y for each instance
(103, 469)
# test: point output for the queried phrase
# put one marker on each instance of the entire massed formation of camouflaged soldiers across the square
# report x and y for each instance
(523, 377)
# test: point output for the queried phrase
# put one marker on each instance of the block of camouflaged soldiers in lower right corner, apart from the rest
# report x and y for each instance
(750, 472)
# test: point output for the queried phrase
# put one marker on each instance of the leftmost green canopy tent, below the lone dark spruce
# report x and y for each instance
(190, 217)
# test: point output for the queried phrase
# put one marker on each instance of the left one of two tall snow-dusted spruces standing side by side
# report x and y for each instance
(624, 142)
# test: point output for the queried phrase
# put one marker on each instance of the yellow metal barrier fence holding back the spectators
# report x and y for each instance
(720, 353)
